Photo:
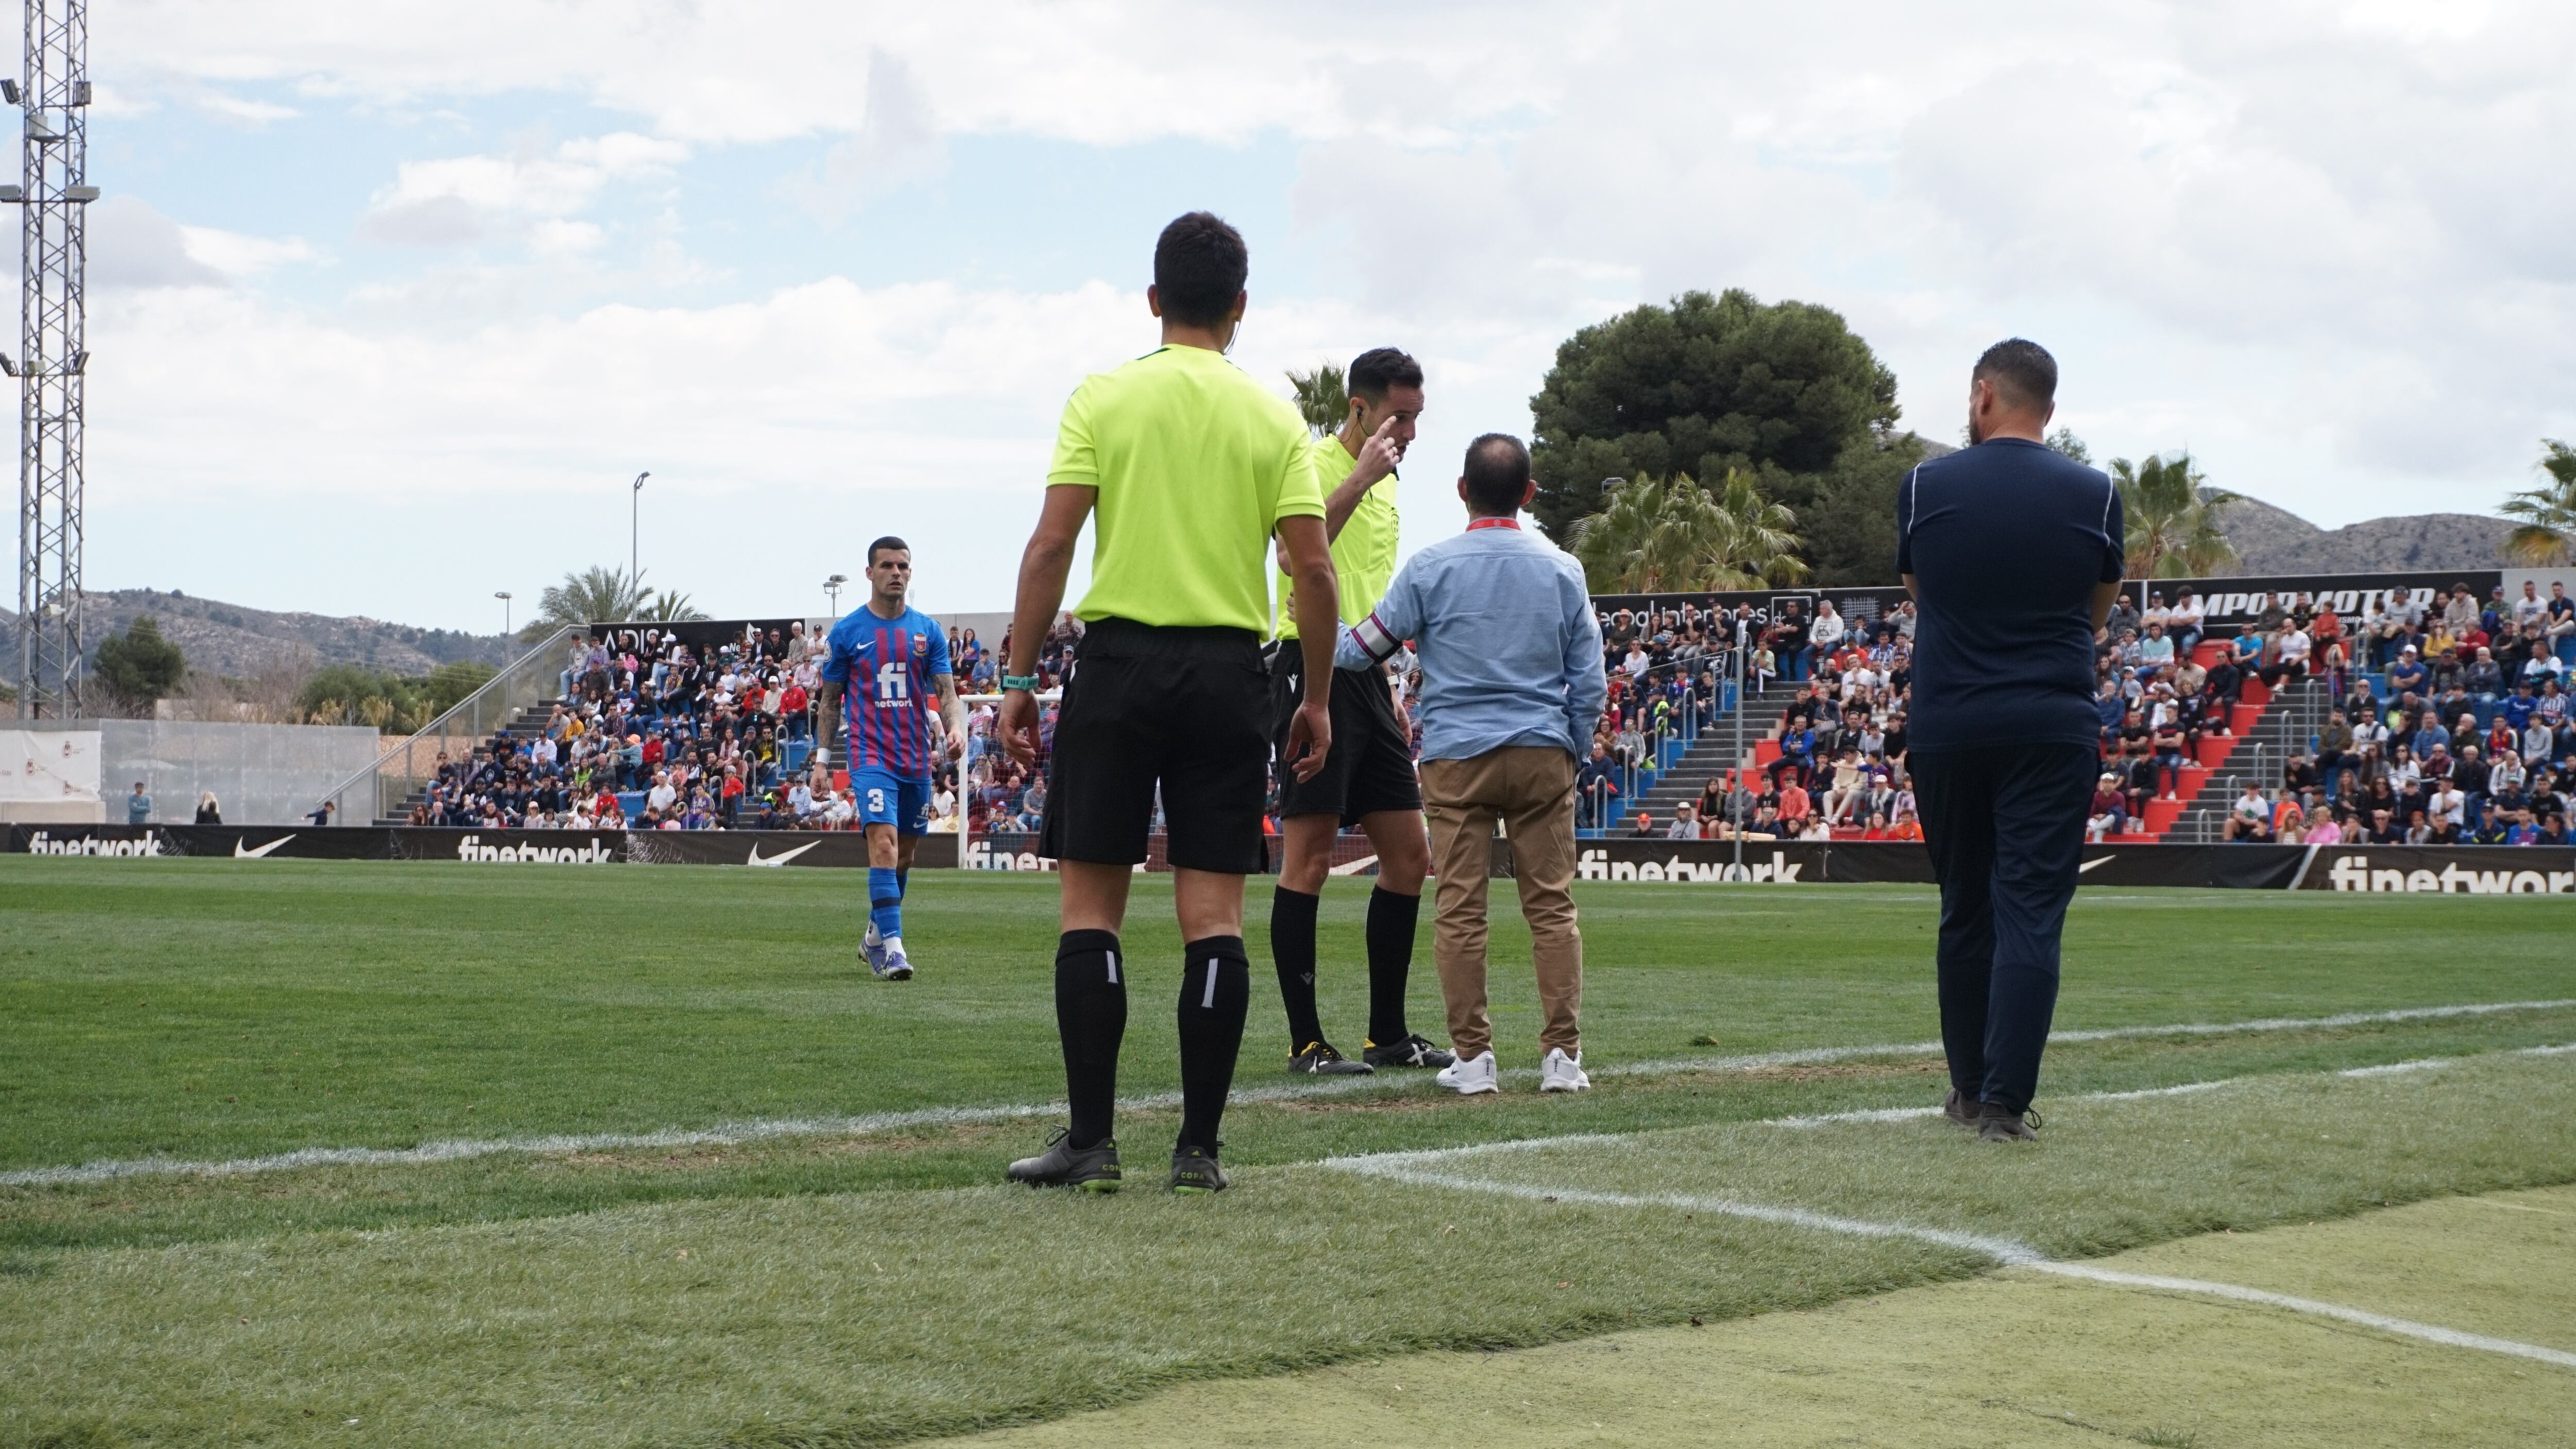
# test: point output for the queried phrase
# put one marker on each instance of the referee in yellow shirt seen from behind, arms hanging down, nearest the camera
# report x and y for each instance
(1191, 470)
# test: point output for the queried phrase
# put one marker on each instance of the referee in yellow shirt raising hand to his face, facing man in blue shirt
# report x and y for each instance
(1372, 773)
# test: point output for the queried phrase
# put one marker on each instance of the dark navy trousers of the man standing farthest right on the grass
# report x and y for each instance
(2005, 827)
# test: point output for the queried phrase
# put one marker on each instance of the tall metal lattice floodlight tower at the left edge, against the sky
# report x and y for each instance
(53, 349)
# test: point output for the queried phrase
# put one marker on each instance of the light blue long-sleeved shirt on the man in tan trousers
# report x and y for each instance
(1511, 650)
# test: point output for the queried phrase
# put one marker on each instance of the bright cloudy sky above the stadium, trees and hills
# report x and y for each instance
(390, 300)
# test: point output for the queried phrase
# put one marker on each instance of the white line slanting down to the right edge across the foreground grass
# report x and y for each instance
(2003, 1252)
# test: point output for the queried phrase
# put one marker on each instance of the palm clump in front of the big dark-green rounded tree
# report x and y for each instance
(1671, 537)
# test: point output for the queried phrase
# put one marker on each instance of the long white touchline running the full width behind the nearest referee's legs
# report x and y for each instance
(735, 1134)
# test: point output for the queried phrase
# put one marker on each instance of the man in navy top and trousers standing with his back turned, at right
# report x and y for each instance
(2013, 555)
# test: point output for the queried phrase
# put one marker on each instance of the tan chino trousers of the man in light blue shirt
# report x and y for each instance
(1531, 791)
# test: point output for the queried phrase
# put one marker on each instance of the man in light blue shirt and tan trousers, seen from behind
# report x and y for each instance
(1511, 691)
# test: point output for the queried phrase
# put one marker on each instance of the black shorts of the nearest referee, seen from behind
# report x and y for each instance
(1150, 706)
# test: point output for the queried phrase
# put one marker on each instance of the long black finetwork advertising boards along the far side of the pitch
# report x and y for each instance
(2351, 869)
